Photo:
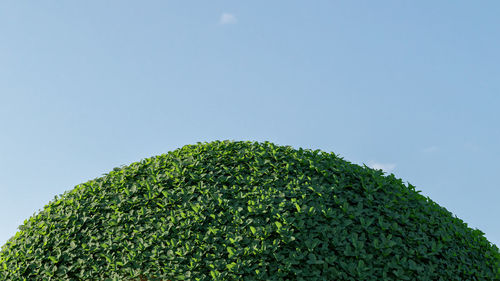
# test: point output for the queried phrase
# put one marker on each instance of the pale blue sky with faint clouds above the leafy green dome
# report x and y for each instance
(410, 87)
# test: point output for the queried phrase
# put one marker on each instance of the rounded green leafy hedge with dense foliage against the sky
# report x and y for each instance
(230, 210)
